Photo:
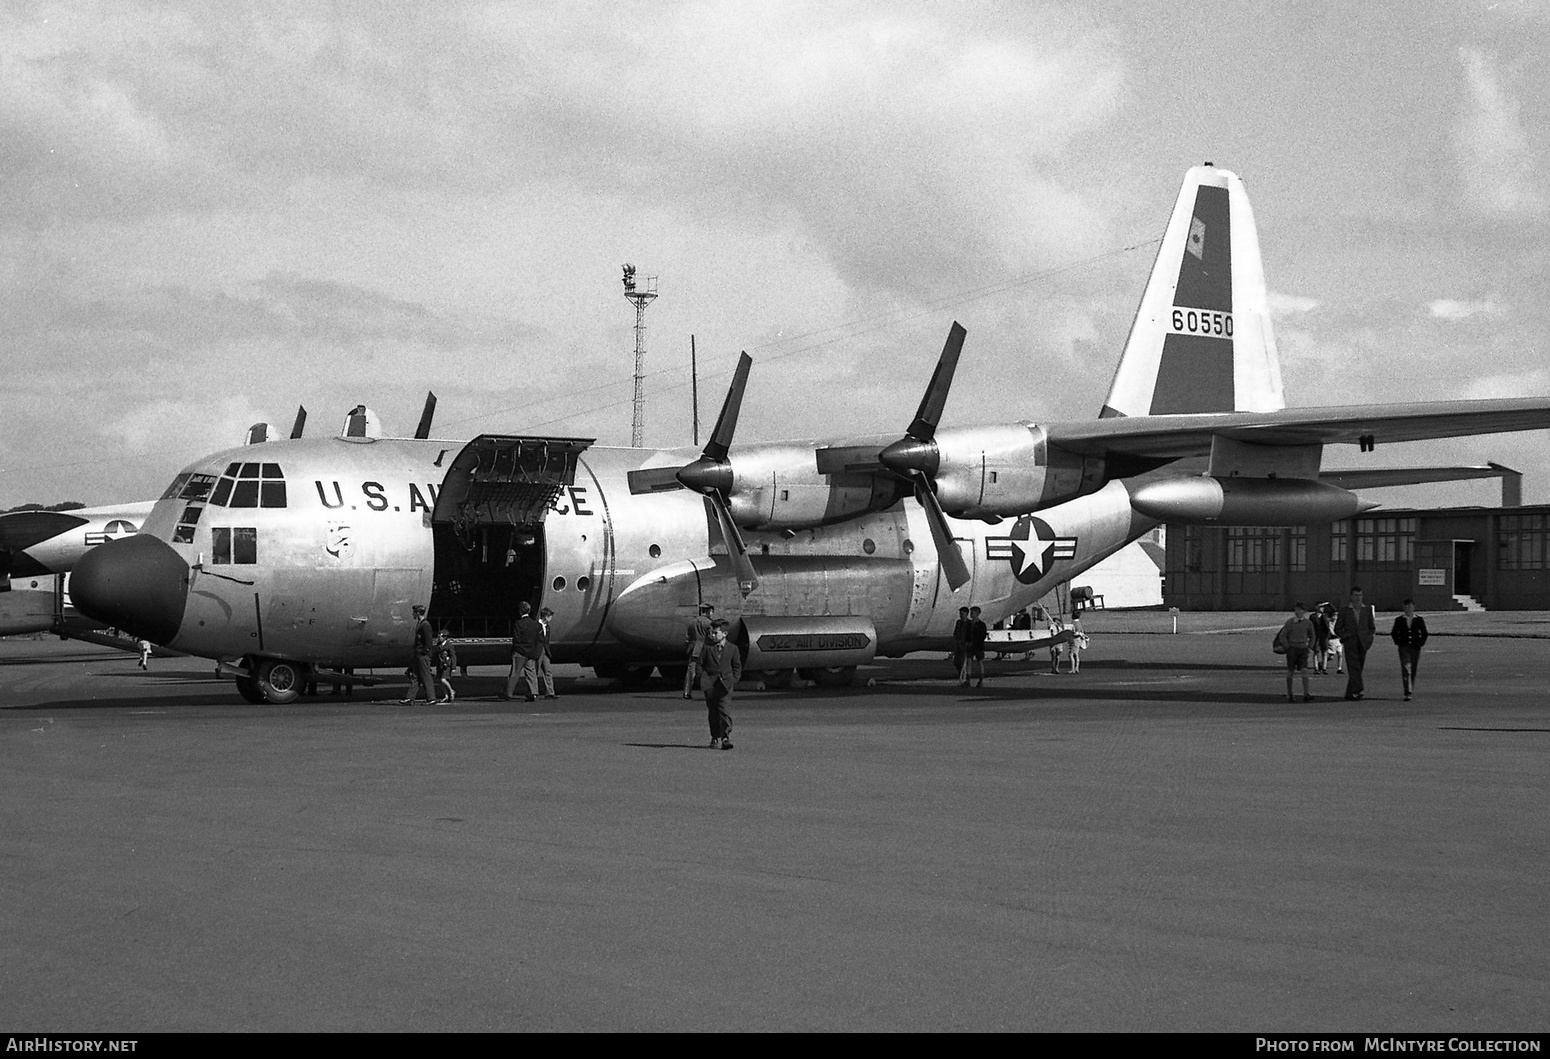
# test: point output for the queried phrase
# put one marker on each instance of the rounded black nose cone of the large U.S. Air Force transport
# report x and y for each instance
(137, 584)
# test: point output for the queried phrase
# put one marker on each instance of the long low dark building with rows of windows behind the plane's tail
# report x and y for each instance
(1444, 559)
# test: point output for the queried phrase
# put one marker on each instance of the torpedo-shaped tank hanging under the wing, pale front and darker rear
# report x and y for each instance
(1247, 502)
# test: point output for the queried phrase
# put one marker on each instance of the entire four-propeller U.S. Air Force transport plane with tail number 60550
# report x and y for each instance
(301, 557)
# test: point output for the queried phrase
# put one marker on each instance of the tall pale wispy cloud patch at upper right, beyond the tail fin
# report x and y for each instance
(1497, 162)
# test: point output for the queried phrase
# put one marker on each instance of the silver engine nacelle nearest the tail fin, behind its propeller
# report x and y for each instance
(1008, 471)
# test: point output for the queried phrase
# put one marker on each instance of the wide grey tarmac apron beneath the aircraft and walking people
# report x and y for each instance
(1160, 843)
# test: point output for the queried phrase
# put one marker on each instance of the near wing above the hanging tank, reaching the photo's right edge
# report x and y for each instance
(1179, 436)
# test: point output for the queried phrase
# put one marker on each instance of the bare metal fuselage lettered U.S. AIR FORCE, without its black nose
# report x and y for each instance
(332, 574)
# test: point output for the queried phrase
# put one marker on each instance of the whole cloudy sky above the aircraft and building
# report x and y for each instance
(213, 213)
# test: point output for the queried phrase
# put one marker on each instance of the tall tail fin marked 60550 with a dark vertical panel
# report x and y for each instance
(1202, 340)
